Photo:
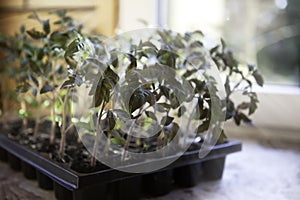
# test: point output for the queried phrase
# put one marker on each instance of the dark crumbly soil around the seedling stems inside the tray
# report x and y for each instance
(76, 156)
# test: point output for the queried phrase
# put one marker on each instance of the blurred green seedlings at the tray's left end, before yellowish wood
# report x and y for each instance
(36, 60)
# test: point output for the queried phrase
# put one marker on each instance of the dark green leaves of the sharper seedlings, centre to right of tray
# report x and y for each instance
(161, 101)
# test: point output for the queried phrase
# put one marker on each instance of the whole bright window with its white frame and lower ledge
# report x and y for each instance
(263, 32)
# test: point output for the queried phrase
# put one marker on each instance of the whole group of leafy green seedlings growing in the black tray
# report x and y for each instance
(148, 88)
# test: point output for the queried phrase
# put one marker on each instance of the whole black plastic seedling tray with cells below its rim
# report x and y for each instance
(69, 184)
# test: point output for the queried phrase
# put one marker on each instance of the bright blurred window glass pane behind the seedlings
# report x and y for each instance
(264, 32)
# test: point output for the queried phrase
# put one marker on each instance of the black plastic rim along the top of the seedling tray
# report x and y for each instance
(74, 182)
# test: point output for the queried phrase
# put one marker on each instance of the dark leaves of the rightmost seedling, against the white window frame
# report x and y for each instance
(228, 65)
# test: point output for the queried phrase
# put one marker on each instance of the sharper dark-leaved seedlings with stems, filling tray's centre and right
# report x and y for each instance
(161, 76)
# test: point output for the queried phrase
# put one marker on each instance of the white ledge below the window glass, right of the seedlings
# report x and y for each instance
(278, 107)
